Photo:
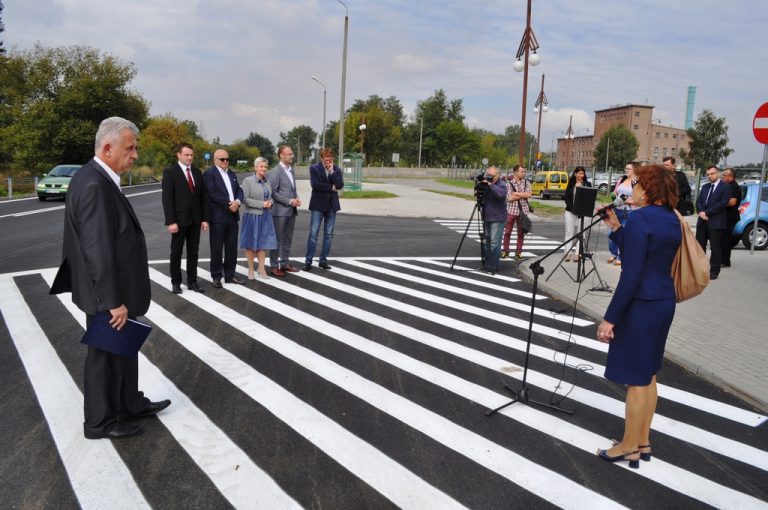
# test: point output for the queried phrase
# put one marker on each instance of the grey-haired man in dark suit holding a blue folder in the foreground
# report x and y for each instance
(105, 267)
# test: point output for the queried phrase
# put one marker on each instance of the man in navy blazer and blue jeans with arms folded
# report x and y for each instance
(326, 181)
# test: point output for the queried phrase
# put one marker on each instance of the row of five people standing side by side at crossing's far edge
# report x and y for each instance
(269, 202)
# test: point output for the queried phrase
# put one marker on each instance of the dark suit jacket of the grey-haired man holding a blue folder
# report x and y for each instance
(104, 254)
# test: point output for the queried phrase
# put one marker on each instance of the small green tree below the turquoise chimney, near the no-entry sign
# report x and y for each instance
(708, 141)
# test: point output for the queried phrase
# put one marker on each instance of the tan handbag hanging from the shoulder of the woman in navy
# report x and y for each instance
(690, 268)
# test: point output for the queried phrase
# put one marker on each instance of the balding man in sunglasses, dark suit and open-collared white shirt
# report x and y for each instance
(224, 198)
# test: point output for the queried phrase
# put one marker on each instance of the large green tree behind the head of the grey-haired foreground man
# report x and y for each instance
(53, 100)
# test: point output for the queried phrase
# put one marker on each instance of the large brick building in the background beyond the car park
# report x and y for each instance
(656, 141)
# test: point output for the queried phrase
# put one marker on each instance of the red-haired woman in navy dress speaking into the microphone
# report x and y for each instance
(640, 314)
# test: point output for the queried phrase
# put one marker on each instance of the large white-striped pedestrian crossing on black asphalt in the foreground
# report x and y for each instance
(366, 387)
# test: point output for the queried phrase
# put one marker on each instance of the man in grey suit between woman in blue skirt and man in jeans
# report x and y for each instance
(286, 201)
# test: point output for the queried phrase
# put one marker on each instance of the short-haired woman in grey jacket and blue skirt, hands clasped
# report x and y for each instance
(257, 233)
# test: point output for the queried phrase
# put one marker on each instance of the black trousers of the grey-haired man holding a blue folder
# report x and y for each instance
(110, 389)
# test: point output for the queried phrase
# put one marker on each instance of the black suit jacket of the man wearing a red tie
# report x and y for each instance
(180, 205)
